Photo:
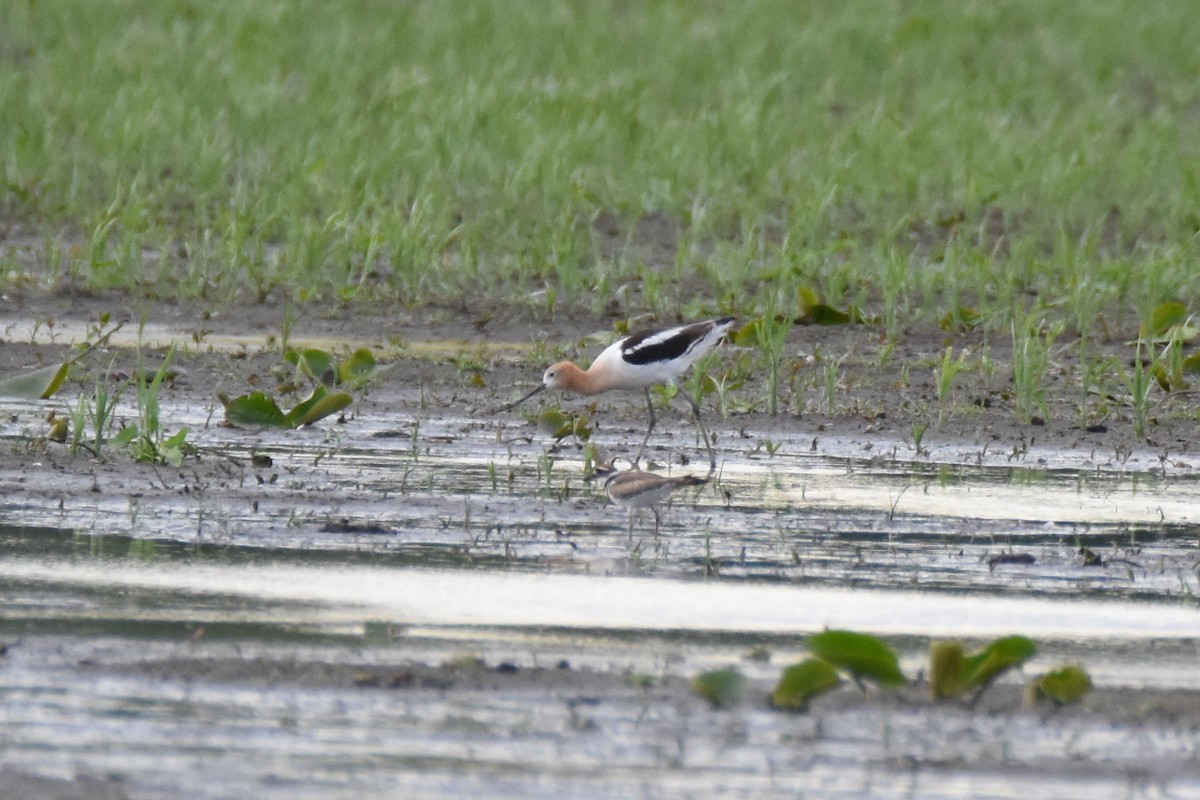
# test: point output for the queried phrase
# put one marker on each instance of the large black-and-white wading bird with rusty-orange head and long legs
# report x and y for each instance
(640, 362)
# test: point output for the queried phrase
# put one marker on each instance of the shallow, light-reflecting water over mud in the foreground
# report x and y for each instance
(382, 544)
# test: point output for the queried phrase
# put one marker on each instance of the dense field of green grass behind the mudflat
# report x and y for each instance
(905, 158)
